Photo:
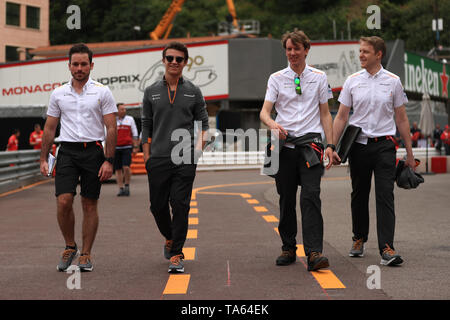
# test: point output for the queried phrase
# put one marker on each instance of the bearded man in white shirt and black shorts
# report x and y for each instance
(83, 107)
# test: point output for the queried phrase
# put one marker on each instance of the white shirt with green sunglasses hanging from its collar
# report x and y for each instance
(298, 114)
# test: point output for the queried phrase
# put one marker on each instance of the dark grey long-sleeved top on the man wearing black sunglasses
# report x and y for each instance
(160, 118)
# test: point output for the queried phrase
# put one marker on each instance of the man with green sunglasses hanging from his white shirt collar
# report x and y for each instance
(300, 95)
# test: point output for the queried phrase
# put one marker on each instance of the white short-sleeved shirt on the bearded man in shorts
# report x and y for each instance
(81, 115)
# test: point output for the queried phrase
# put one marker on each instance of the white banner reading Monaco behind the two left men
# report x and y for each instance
(127, 74)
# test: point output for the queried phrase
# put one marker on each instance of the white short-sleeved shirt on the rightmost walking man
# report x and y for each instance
(373, 98)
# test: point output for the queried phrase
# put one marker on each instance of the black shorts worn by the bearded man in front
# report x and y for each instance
(79, 162)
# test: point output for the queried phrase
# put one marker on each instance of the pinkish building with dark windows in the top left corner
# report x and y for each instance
(24, 25)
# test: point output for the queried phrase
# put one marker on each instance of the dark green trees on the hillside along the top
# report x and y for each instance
(103, 20)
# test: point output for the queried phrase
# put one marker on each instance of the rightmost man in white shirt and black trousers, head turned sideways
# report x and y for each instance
(377, 98)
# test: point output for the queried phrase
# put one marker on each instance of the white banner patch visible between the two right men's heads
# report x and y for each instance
(338, 59)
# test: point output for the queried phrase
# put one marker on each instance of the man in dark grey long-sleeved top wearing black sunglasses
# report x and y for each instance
(170, 107)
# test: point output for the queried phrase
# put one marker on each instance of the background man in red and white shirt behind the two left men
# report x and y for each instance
(127, 143)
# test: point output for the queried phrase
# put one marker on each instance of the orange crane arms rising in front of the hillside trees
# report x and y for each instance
(166, 24)
